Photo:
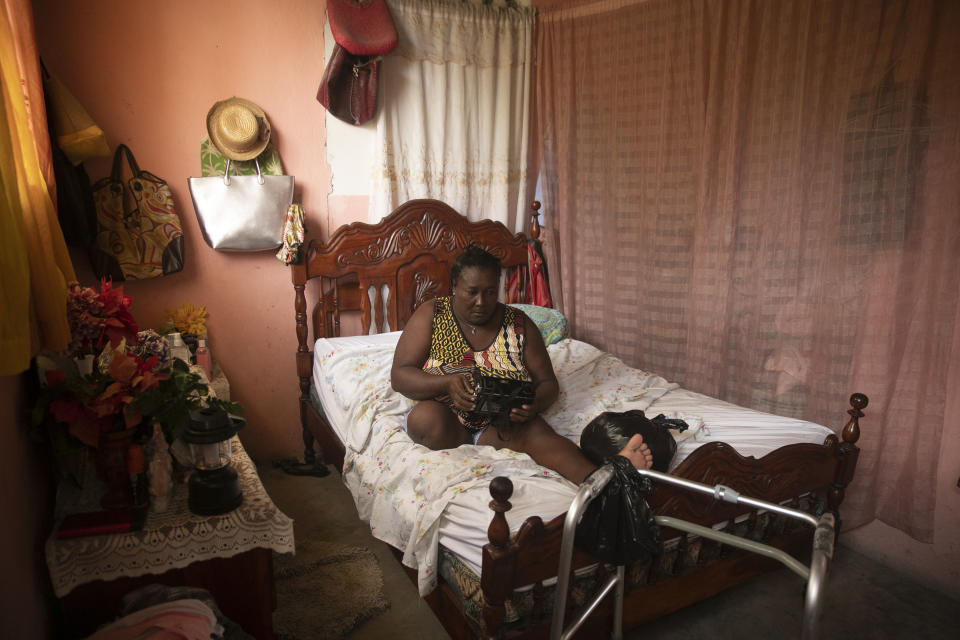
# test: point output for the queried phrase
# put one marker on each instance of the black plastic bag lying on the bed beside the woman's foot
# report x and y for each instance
(609, 432)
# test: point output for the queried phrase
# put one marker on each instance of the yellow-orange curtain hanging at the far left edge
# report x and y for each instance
(35, 266)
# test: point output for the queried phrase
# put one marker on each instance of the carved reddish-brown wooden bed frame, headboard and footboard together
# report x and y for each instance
(383, 272)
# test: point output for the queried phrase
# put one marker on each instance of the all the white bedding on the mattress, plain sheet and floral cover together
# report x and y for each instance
(414, 498)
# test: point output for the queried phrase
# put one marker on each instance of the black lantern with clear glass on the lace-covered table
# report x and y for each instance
(214, 487)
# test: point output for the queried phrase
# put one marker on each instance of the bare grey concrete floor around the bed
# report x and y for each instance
(863, 599)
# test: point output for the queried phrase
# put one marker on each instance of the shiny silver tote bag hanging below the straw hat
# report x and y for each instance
(242, 213)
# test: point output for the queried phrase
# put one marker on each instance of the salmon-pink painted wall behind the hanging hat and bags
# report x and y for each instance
(148, 74)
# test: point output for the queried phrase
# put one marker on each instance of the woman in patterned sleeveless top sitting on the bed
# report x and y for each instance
(442, 343)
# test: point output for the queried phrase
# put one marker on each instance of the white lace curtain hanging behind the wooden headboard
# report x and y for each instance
(455, 110)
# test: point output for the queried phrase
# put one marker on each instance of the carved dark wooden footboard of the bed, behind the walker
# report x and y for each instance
(804, 476)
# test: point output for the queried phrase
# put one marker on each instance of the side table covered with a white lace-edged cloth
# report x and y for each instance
(229, 555)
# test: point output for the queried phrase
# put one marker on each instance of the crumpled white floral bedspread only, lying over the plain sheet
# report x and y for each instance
(401, 488)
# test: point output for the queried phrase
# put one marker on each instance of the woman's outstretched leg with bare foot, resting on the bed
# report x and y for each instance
(549, 449)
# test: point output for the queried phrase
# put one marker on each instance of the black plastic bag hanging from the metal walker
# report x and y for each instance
(618, 526)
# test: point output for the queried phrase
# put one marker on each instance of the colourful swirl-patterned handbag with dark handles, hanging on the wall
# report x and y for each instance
(139, 233)
